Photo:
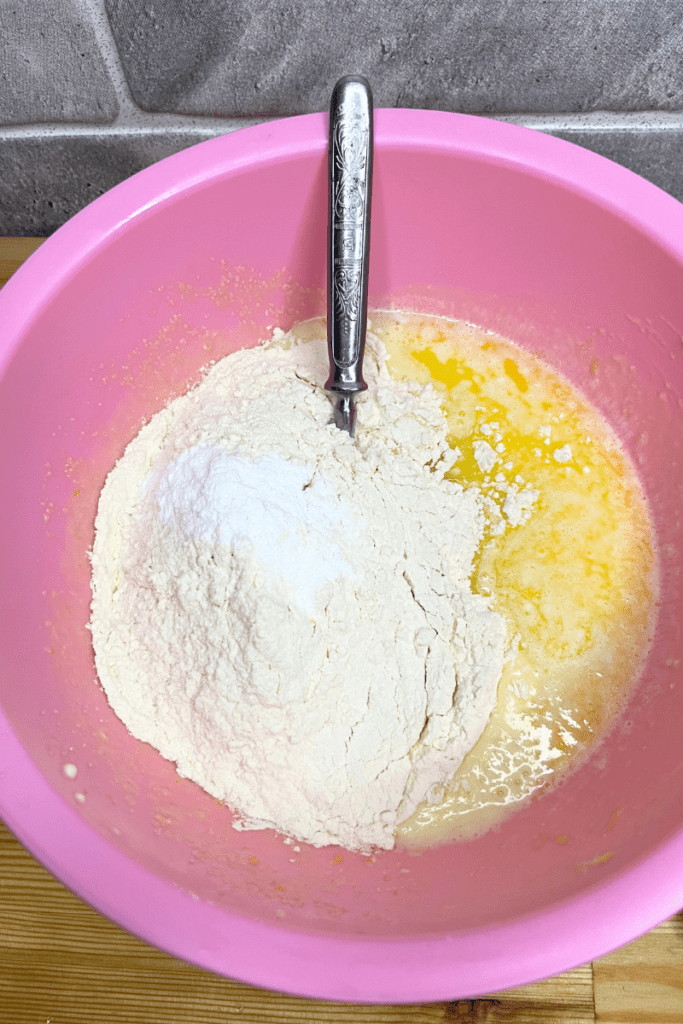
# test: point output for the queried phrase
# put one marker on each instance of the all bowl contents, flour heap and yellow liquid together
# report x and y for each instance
(316, 630)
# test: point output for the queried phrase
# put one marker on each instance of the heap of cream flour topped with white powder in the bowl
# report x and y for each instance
(286, 614)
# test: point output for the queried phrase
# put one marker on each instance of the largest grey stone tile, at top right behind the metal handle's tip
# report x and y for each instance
(477, 57)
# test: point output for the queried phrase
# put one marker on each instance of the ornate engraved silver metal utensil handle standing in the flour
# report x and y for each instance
(351, 180)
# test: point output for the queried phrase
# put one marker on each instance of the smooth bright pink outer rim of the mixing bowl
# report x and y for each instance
(420, 969)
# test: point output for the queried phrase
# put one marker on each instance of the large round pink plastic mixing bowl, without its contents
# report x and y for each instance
(575, 258)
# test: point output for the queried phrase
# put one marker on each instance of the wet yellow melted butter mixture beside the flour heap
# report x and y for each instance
(576, 583)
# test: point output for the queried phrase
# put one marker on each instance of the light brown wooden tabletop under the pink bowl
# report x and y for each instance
(62, 963)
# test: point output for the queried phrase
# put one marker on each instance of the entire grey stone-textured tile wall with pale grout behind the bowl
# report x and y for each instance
(94, 91)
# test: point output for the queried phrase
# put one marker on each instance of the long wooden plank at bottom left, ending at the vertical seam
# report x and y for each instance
(61, 961)
